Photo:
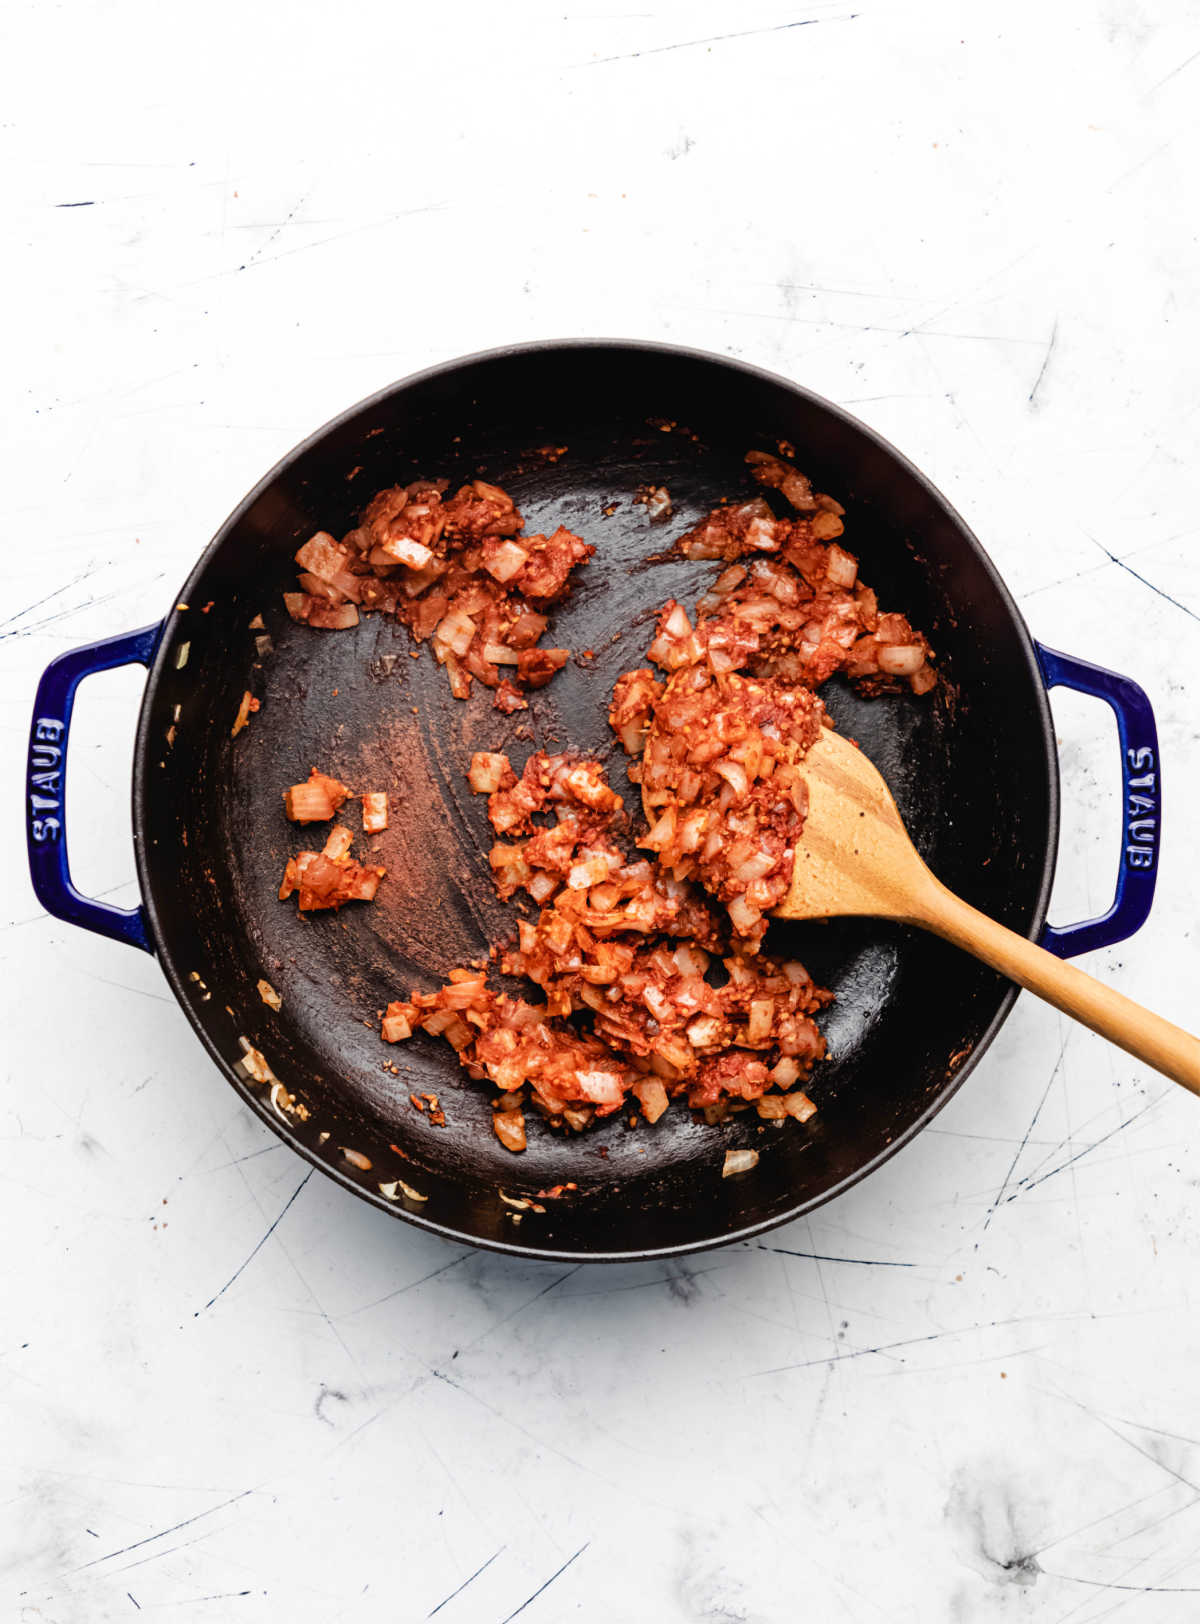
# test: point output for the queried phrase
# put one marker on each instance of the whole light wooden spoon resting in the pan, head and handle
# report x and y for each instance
(857, 858)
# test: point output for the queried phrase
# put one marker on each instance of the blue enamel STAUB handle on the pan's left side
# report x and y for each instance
(46, 787)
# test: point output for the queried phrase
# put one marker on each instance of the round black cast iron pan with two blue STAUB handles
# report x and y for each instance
(572, 430)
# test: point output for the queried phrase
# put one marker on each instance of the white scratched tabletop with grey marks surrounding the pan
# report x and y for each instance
(977, 228)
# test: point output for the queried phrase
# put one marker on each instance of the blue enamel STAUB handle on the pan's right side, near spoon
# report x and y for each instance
(1142, 803)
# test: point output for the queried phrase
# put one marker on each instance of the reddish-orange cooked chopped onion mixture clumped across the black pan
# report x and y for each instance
(645, 952)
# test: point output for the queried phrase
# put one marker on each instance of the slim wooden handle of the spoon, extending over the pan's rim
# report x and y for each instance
(1137, 1030)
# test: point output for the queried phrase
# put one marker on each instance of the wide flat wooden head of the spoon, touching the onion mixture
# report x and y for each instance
(855, 855)
